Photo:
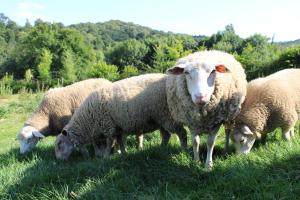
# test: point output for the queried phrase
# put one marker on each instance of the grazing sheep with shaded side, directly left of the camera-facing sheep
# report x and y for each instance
(127, 106)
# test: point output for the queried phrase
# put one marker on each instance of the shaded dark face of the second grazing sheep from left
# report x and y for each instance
(63, 147)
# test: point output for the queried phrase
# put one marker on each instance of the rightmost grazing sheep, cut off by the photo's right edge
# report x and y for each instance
(271, 102)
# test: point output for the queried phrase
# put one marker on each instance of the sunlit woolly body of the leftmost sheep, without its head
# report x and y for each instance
(59, 104)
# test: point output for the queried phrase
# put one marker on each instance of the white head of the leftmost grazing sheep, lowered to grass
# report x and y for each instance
(28, 138)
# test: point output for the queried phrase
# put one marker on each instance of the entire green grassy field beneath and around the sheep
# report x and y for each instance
(270, 171)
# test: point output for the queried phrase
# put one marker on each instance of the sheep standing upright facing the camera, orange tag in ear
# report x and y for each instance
(204, 90)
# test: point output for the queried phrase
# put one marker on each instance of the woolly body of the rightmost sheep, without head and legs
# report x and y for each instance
(271, 102)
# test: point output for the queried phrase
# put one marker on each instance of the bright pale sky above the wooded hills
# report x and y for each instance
(273, 18)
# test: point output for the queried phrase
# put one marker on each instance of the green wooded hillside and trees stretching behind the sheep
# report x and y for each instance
(42, 55)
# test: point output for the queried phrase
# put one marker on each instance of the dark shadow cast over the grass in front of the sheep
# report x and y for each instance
(154, 173)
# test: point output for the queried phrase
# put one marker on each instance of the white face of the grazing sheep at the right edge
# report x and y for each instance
(243, 139)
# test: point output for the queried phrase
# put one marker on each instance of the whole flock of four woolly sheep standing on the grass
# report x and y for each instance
(202, 91)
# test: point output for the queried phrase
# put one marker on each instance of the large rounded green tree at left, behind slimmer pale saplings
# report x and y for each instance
(55, 38)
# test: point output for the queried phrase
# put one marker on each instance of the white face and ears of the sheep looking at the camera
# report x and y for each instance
(200, 78)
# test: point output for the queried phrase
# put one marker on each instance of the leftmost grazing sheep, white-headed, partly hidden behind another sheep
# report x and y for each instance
(54, 112)
